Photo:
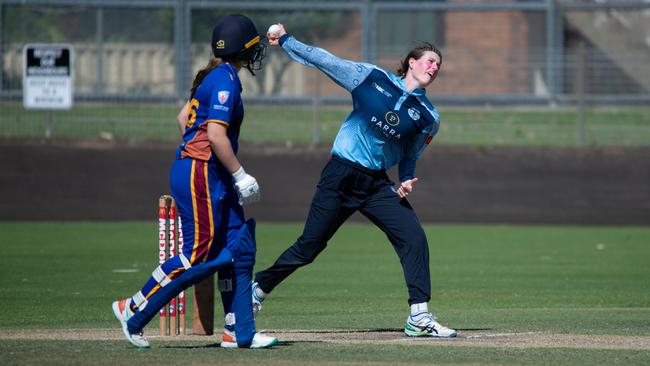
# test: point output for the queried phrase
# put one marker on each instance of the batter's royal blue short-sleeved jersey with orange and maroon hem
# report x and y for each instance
(216, 100)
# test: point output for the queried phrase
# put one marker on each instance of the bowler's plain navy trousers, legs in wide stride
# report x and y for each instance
(343, 189)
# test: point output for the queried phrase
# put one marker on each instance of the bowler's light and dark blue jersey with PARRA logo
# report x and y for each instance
(387, 125)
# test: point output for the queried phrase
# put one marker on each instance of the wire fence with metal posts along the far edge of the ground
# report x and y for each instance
(134, 62)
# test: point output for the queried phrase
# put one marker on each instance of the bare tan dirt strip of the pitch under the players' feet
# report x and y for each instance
(371, 336)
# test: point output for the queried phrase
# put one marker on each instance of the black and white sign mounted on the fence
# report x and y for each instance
(47, 76)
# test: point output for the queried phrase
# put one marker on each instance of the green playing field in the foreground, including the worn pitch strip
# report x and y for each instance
(586, 287)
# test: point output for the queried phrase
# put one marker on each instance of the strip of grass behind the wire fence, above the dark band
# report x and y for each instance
(293, 125)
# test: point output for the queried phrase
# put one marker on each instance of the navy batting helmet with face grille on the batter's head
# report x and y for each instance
(235, 37)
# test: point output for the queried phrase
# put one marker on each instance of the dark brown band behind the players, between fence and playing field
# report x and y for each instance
(459, 185)
